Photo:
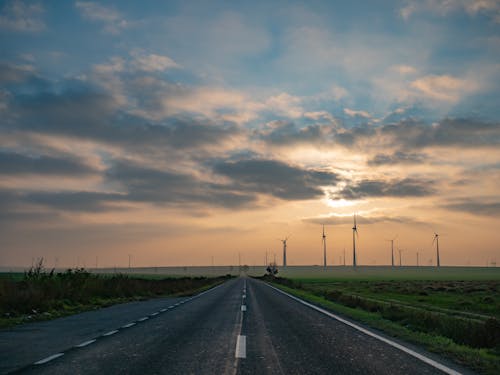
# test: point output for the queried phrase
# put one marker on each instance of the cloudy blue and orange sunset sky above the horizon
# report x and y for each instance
(174, 132)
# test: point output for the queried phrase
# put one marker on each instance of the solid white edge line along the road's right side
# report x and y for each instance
(409, 351)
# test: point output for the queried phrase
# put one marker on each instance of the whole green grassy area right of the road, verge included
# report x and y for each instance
(451, 311)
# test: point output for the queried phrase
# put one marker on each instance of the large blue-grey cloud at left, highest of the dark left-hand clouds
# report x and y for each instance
(94, 115)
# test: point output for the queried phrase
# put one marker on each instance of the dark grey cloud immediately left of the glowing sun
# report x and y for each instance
(276, 178)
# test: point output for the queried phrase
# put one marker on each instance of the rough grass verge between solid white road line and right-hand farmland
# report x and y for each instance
(482, 360)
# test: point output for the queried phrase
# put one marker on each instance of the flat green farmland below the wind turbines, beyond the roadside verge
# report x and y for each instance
(465, 291)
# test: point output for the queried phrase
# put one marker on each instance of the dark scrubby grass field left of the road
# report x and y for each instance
(40, 294)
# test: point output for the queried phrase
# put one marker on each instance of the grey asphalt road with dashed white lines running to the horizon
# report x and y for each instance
(241, 327)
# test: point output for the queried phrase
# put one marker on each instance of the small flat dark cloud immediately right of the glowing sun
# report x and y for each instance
(408, 187)
